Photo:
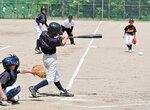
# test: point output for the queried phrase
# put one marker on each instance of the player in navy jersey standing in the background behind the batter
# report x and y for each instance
(40, 21)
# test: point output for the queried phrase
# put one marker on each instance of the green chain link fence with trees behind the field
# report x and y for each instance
(104, 9)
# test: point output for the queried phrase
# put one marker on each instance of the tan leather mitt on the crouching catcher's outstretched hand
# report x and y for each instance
(39, 70)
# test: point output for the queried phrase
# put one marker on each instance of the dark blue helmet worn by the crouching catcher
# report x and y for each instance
(9, 61)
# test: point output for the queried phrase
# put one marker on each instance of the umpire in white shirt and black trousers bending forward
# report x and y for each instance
(68, 26)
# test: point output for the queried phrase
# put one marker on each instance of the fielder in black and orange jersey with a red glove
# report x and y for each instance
(129, 34)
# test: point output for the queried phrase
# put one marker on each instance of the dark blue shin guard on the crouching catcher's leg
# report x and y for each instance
(13, 92)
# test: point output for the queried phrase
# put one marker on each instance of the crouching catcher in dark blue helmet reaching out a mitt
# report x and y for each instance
(9, 91)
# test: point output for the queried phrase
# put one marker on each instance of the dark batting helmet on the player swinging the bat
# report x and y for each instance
(54, 29)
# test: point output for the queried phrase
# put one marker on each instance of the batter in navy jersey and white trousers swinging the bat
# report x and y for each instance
(49, 40)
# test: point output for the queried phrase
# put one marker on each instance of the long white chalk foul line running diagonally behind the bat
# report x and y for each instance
(81, 61)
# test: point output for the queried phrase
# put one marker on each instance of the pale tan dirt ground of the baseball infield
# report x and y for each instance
(109, 78)
